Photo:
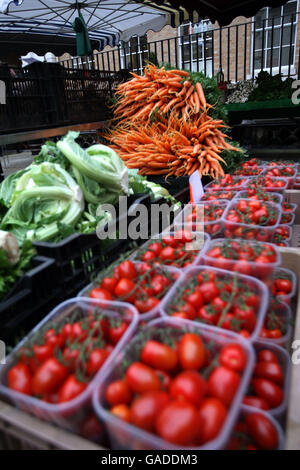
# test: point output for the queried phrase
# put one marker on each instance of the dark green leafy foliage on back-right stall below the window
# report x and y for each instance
(271, 88)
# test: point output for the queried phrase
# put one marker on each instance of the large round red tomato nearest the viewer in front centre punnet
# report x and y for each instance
(178, 423)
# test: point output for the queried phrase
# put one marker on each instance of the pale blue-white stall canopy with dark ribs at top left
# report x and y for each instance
(107, 21)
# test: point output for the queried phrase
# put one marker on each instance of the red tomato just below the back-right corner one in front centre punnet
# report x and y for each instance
(223, 384)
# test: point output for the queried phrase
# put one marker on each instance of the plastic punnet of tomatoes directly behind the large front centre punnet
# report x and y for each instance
(224, 299)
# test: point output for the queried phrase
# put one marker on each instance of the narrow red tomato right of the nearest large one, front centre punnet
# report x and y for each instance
(212, 414)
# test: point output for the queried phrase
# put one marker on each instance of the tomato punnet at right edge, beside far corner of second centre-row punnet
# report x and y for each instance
(283, 285)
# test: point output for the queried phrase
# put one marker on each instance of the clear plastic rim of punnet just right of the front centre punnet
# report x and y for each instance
(284, 360)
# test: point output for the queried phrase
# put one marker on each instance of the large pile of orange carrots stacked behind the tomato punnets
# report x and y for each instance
(164, 127)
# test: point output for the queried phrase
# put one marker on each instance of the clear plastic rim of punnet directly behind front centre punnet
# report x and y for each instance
(258, 287)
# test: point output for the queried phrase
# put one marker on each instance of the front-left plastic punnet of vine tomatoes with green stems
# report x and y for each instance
(52, 372)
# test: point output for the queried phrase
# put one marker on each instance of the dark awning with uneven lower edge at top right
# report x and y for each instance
(223, 11)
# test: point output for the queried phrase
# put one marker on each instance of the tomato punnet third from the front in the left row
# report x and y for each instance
(173, 248)
